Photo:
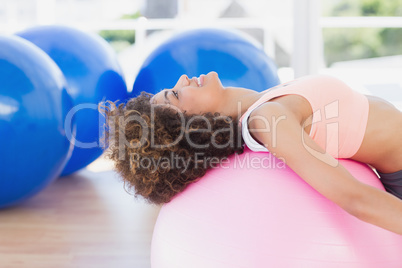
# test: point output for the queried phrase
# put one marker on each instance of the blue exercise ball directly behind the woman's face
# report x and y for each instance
(237, 60)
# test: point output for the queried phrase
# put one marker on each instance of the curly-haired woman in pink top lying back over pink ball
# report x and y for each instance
(162, 143)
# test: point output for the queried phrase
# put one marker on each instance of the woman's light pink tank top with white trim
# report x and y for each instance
(339, 114)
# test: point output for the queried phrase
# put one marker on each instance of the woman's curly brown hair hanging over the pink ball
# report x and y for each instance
(159, 151)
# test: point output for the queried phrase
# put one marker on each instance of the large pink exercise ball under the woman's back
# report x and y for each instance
(254, 211)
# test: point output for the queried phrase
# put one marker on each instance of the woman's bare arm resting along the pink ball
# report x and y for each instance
(321, 170)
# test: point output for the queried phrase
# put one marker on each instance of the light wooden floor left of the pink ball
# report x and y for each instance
(85, 220)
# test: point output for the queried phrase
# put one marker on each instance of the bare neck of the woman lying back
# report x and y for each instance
(238, 100)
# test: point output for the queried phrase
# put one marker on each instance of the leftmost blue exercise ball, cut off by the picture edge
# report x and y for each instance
(33, 105)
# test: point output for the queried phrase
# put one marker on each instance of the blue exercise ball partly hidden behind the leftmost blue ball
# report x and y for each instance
(93, 75)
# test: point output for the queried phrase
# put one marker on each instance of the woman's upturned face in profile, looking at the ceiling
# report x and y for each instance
(195, 95)
